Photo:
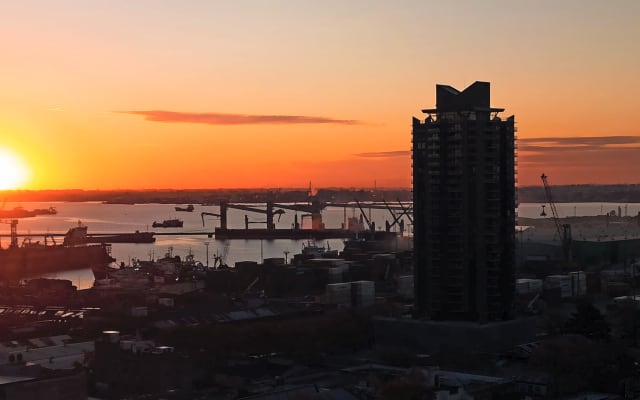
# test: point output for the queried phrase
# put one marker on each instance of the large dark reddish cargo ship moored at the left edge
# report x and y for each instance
(34, 258)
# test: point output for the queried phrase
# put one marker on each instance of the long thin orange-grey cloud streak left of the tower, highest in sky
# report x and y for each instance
(235, 119)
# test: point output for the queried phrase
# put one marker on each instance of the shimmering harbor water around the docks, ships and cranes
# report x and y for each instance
(125, 218)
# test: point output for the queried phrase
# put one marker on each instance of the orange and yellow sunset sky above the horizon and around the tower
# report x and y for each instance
(124, 94)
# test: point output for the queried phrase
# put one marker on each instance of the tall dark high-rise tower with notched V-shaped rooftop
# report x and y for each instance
(464, 204)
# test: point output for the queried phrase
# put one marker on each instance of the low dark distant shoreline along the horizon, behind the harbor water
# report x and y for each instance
(528, 194)
